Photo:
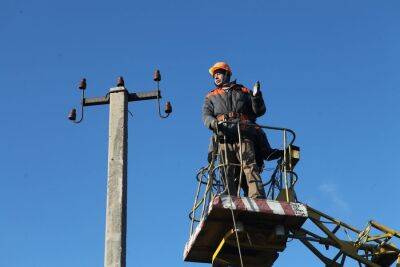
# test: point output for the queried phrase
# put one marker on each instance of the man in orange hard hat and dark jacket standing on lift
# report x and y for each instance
(225, 106)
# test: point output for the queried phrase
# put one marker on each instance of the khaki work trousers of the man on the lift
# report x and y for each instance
(231, 155)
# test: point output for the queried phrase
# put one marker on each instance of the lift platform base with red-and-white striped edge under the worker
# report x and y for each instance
(261, 227)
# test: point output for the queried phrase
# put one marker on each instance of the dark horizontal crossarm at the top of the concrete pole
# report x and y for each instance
(105, 100)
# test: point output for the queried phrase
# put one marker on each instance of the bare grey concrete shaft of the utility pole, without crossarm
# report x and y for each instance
(115, 247)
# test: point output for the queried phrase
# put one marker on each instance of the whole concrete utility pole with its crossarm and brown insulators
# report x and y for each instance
(116, 214)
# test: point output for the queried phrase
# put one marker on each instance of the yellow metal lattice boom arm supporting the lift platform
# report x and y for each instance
(367, 249)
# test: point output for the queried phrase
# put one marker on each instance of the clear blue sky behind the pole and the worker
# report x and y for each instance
(329, 70)
